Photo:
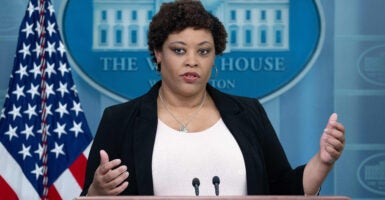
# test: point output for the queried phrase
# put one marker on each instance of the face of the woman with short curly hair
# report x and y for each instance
(187, 58)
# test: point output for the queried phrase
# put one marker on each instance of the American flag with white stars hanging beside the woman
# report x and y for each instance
(43, 131)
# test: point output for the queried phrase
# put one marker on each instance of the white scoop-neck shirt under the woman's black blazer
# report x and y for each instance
(179, 157)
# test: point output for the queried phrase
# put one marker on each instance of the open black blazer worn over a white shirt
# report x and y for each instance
(127, 131)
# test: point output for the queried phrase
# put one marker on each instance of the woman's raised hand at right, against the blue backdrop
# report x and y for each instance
(332, 140)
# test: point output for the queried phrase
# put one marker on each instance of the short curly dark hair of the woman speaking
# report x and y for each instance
(179, 15)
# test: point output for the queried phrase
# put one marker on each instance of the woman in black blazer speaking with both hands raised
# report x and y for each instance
(183, 128)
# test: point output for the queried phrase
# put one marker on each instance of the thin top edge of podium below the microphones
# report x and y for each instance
(214, 198)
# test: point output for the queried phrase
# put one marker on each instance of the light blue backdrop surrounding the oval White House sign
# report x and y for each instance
(348, 77)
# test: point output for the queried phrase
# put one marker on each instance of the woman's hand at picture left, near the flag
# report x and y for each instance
(109, 177)
